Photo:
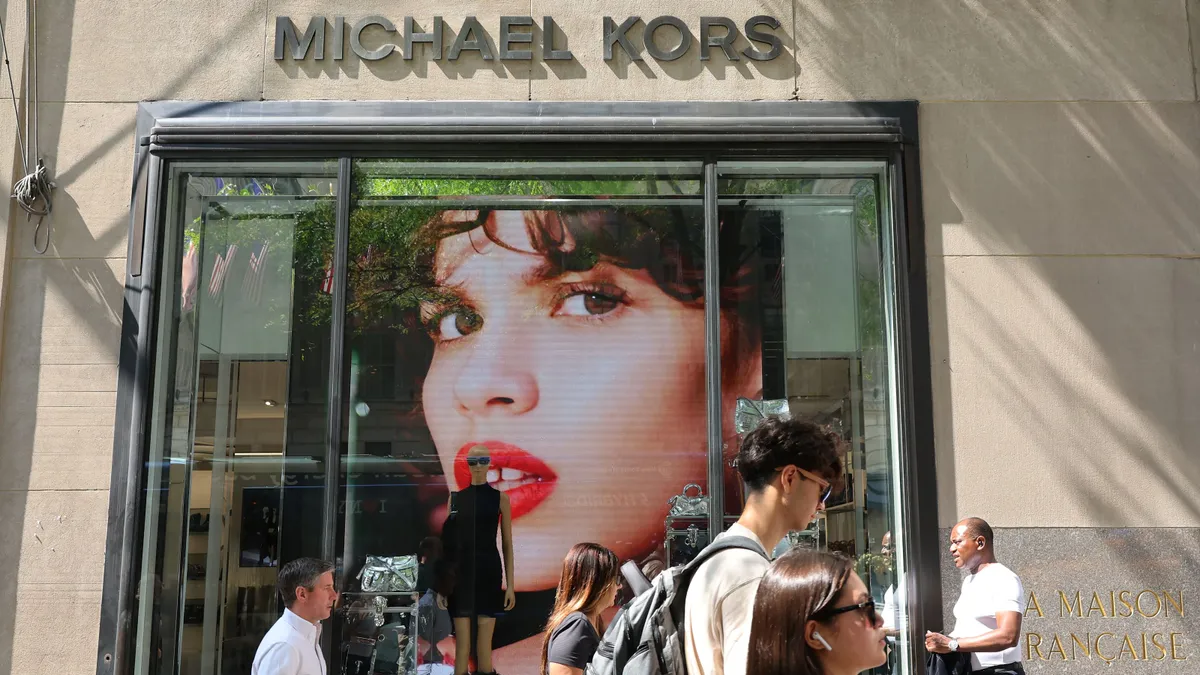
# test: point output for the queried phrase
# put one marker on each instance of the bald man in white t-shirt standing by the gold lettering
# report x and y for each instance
(988, 614)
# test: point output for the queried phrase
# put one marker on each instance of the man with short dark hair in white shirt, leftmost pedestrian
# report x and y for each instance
(293, 646)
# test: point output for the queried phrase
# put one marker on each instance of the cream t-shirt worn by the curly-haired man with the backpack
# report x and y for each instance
(719, 608)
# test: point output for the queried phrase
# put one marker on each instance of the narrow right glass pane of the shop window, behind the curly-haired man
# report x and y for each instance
(808, 320)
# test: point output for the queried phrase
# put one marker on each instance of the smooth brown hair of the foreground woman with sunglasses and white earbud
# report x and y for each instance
(799, 586)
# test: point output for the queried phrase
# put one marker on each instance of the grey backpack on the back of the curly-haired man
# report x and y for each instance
(647, 637)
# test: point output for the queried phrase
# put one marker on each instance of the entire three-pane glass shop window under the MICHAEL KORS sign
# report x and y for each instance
(524, 368)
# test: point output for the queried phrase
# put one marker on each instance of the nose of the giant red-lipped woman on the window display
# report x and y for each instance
(496, 379)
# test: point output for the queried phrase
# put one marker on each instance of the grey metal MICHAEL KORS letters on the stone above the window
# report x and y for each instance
(514, 39)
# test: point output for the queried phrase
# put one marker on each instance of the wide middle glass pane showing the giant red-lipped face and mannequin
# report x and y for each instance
(549, 318)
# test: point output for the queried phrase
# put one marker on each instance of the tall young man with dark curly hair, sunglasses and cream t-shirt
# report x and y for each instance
(790, 468)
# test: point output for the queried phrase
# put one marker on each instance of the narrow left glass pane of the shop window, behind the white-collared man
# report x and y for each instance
(237, 447)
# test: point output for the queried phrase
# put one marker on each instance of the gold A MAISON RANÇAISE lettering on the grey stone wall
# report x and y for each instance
(1133, 636)
